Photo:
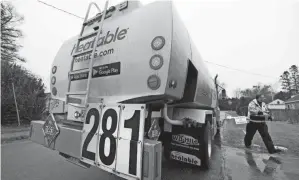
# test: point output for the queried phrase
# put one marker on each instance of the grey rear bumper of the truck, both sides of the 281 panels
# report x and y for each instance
(69, 142)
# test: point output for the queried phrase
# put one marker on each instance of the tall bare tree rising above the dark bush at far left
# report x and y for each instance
(10, 33)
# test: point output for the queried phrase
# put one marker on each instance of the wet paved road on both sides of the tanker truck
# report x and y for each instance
(28, 161)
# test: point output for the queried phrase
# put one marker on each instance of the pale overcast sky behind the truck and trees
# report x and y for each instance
(257, 36)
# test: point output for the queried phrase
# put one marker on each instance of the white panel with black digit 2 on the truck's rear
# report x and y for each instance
(89, 135)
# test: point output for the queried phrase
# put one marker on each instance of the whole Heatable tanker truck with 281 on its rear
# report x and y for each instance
(131, 88)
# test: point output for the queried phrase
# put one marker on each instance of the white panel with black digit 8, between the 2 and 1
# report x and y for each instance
(107, 140)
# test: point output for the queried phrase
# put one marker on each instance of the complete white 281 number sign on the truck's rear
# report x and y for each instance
(113, 138)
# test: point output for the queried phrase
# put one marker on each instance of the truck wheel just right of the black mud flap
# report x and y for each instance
(206, 144)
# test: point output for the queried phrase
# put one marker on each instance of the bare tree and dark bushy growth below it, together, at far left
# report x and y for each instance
(29, 88)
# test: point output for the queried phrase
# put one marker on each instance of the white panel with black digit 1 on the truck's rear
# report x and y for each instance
(130, 143)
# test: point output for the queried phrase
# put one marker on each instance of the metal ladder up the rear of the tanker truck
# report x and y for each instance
(91, 62)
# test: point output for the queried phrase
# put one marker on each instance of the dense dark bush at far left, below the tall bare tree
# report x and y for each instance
(29, 91)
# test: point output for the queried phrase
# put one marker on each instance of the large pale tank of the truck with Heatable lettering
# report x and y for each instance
(126, 65)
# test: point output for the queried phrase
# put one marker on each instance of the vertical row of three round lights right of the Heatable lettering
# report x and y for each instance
(156, 62)
